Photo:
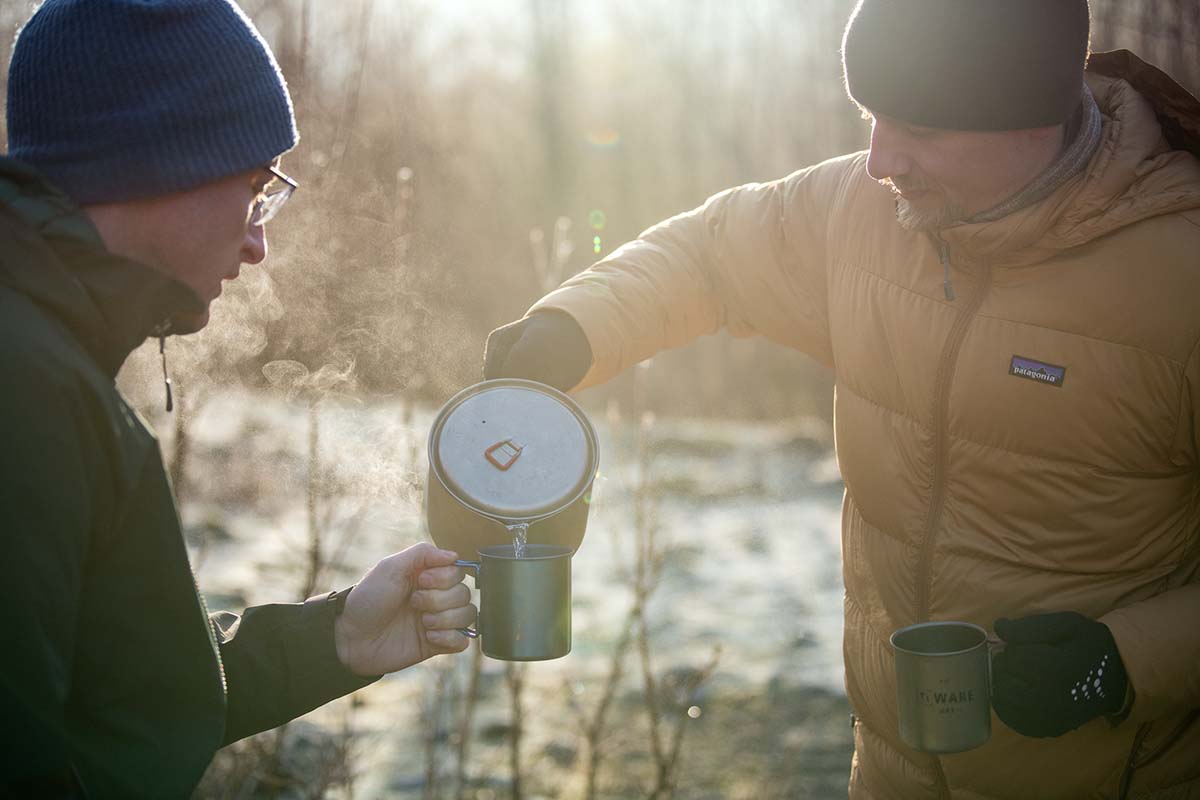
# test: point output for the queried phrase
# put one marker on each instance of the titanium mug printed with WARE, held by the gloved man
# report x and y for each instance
(944, 687)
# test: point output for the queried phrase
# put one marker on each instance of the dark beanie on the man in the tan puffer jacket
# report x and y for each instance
(968, 65)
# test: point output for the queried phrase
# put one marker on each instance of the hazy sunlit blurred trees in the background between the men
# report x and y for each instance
(437, 136)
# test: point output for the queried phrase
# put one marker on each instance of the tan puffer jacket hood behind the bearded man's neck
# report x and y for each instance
(1145, 166)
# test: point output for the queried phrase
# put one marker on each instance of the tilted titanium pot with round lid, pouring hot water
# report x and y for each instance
(507, 455)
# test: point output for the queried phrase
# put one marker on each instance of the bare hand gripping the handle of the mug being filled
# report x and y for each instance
(406, 610)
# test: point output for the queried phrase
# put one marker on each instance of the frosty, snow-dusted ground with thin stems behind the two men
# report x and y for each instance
(748, 518)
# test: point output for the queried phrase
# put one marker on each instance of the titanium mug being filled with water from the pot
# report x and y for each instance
(525, 604)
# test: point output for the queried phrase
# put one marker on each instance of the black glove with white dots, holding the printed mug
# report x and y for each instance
(1057, 672)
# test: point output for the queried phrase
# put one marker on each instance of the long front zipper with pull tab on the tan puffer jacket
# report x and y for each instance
(941, 412)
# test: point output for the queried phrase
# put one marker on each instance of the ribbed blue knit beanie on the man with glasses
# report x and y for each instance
(121, 100)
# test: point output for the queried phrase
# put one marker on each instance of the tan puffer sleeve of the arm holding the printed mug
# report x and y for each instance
(1160, 637)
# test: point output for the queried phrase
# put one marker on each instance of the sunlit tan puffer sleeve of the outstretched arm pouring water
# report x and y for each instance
(751, 261)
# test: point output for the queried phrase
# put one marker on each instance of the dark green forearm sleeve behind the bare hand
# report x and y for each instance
(279, 663)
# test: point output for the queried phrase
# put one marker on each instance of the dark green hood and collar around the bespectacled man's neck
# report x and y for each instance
(55, 256)
